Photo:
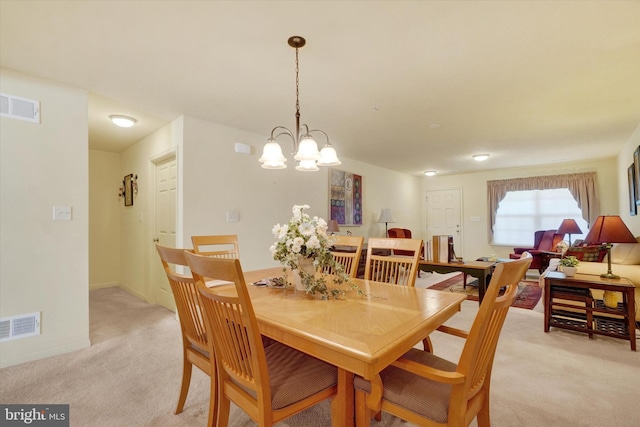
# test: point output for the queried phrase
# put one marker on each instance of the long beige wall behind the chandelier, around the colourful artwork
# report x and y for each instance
(217, 180)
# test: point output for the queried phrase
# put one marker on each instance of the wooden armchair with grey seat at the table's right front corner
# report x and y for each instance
(427, 390)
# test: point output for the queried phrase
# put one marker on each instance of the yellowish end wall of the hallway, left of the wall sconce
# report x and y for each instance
(104, 219)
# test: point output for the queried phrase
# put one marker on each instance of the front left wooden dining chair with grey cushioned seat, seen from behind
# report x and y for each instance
(269, 383)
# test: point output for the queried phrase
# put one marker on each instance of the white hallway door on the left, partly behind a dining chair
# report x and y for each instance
(165, 220)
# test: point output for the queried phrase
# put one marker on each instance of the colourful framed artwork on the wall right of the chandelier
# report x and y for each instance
(345, 194)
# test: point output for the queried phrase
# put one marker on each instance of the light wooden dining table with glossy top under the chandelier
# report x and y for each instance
(358, 334)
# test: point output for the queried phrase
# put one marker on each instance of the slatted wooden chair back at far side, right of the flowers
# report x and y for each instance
(388, 267)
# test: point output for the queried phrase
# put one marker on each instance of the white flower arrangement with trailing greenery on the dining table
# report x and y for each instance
(303, 237)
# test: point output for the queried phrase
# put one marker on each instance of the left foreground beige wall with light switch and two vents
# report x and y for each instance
(44, 263)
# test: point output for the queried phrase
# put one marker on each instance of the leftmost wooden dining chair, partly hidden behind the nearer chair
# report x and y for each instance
(195, 346)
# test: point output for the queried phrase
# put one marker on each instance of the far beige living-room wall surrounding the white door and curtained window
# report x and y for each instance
(474, 195)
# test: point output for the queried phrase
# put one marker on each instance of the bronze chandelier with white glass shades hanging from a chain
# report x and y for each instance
(304, 146)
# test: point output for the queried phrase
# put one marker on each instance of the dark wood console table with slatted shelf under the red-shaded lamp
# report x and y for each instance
(594, 317)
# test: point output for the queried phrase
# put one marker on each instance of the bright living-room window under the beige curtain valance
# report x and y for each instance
(521, 213)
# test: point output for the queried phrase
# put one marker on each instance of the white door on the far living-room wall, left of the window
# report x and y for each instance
(443, 216)
